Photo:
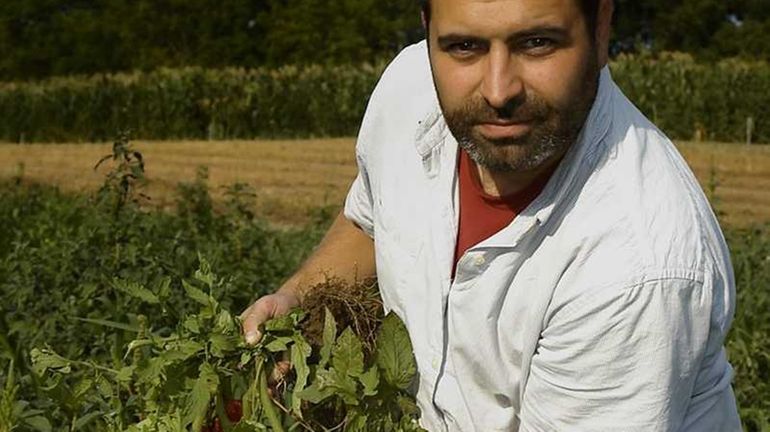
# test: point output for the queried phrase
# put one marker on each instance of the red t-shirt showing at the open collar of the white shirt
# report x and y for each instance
(482, 215)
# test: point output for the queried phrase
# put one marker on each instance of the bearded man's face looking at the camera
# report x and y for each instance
(515, 78)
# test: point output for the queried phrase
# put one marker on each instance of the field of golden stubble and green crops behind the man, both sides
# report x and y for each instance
(65, 257)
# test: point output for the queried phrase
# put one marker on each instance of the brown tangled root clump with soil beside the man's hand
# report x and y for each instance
(356, 305)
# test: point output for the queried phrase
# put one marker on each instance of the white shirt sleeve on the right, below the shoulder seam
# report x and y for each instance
(629, 360)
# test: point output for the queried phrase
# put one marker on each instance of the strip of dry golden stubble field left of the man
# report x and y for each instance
(291, 178)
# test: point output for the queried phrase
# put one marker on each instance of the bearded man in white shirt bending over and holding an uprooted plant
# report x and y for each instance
(552, 256)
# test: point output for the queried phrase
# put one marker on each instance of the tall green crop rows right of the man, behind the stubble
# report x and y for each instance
(690, 100)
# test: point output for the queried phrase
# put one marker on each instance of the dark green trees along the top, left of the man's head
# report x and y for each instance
(41, 38)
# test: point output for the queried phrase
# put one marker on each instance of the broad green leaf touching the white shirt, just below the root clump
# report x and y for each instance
(394, 353)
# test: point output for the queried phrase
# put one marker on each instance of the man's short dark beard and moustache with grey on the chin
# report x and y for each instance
(551, 131)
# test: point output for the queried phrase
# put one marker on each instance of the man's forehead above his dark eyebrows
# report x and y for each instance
(487, 16)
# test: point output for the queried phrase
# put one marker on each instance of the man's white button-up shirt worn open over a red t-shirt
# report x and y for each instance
(602, 307)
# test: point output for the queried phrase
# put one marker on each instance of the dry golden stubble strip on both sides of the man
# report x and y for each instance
(294, 178)
